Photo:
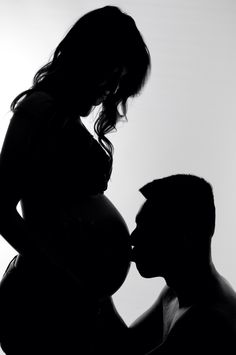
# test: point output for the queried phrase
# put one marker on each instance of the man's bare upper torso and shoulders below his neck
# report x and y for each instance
(210, 323)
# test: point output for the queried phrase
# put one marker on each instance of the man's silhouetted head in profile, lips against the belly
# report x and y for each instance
(174, 225)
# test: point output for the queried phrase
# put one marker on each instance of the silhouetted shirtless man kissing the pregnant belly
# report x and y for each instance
(196, 310)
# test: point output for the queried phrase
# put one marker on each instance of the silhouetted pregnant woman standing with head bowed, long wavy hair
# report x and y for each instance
(72, 243)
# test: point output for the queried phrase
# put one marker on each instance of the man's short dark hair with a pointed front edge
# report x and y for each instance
(186, 200)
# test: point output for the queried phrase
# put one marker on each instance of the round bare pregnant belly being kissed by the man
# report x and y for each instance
(95, 243)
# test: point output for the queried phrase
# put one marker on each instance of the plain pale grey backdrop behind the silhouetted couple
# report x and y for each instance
(183, 122)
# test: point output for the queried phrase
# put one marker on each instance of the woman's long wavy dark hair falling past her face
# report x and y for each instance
(103, 45)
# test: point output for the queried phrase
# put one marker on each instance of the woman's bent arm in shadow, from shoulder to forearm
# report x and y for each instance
(14, 167)
